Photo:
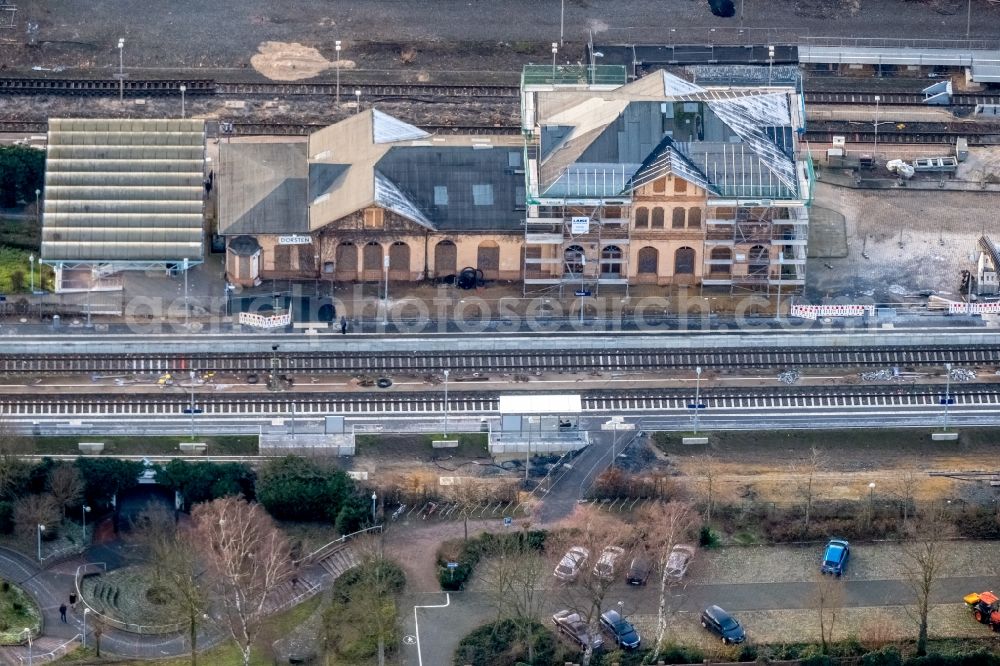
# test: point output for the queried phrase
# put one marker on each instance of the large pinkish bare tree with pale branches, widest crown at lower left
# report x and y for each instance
(246, 557)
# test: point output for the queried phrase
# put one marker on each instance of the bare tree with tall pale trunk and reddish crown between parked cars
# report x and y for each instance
(667, 525)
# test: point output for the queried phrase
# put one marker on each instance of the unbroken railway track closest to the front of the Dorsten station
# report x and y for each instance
(496, 362)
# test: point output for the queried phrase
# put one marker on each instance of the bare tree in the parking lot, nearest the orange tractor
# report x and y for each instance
(925, 556)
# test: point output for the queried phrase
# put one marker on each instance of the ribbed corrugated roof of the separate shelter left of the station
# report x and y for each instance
(124, 190)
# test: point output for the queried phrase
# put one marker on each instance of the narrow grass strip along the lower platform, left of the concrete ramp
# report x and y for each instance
(218, 445)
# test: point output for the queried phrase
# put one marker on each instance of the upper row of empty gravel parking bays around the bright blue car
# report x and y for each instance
(799, 563)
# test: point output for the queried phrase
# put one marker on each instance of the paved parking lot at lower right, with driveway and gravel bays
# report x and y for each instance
(771, 590)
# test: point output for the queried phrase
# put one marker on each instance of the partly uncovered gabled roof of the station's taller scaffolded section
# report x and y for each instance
(732, 141)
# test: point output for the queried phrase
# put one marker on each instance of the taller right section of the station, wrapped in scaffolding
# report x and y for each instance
(662, 181)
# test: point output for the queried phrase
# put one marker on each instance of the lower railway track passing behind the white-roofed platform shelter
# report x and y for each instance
(656, 400)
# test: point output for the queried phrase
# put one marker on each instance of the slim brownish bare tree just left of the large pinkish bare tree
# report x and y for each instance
(176, 568)
